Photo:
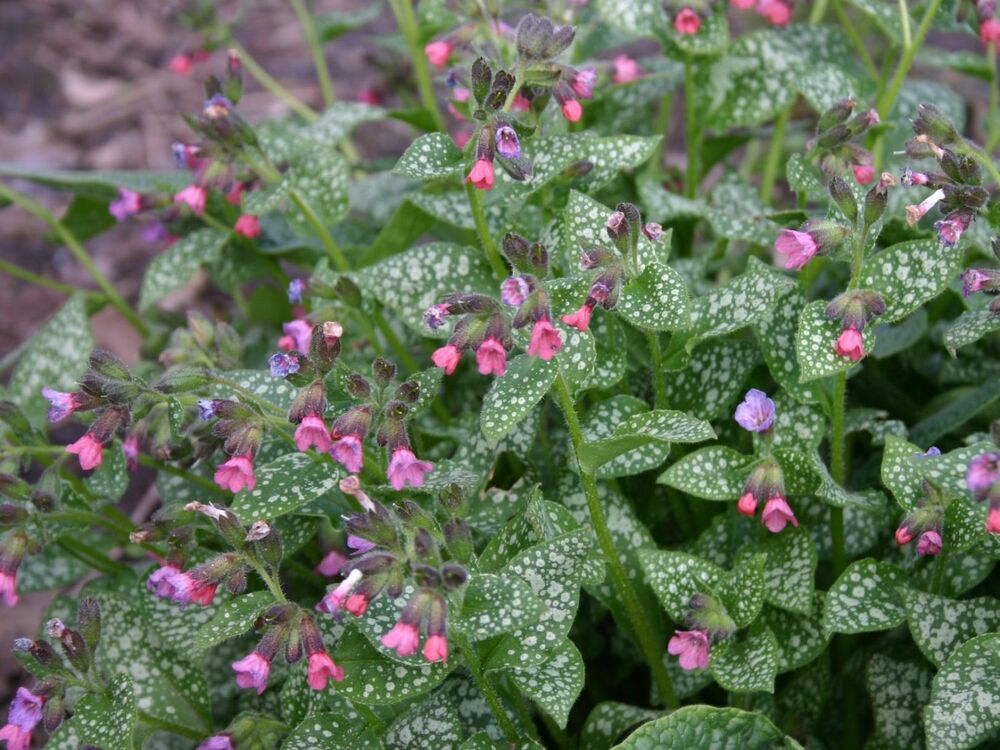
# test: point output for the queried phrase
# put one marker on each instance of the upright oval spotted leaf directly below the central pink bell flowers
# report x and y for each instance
(514, 394)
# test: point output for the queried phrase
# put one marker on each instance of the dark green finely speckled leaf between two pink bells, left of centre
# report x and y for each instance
(284, 485)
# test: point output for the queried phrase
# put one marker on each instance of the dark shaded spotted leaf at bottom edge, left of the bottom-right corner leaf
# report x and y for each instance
(899, 691)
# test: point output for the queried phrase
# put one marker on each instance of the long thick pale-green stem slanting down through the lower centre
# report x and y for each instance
(641, 627)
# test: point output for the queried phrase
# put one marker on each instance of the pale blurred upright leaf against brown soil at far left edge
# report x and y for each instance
(56, 355)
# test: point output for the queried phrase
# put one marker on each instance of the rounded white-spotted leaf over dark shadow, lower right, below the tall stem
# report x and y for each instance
(865, 598)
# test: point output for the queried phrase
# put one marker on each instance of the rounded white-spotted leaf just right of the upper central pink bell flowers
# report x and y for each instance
(658, 300)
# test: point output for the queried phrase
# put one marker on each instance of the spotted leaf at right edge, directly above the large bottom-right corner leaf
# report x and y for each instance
(940, 625)
